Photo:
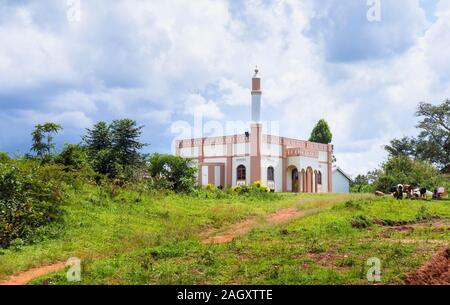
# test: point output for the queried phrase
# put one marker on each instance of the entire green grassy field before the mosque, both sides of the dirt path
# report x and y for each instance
(156, 239)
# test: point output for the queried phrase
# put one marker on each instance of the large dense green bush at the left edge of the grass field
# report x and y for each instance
(27, 201)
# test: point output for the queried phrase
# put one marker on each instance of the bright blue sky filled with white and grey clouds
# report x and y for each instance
(160, 62)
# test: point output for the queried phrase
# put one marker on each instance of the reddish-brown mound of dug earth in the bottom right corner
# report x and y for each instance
(435, 272)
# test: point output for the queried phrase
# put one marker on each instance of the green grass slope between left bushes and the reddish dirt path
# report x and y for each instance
(99, 222)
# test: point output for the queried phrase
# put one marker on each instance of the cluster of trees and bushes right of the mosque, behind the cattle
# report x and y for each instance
(421, 161)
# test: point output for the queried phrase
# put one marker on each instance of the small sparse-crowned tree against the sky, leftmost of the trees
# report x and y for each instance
(43, 138)
